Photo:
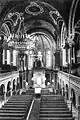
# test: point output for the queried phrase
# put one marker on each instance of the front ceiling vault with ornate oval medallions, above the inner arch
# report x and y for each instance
(38, 10)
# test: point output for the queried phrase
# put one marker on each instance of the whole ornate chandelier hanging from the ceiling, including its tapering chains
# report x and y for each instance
(20, 40)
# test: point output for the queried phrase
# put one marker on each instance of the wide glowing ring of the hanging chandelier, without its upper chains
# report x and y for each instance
(22, 43)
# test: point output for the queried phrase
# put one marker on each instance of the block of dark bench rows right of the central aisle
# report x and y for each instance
(53, 107)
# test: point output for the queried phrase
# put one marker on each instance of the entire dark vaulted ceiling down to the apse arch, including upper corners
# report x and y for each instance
(44, 16)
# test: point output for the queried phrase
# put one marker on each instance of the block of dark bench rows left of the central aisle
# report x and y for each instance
(16, 108)
